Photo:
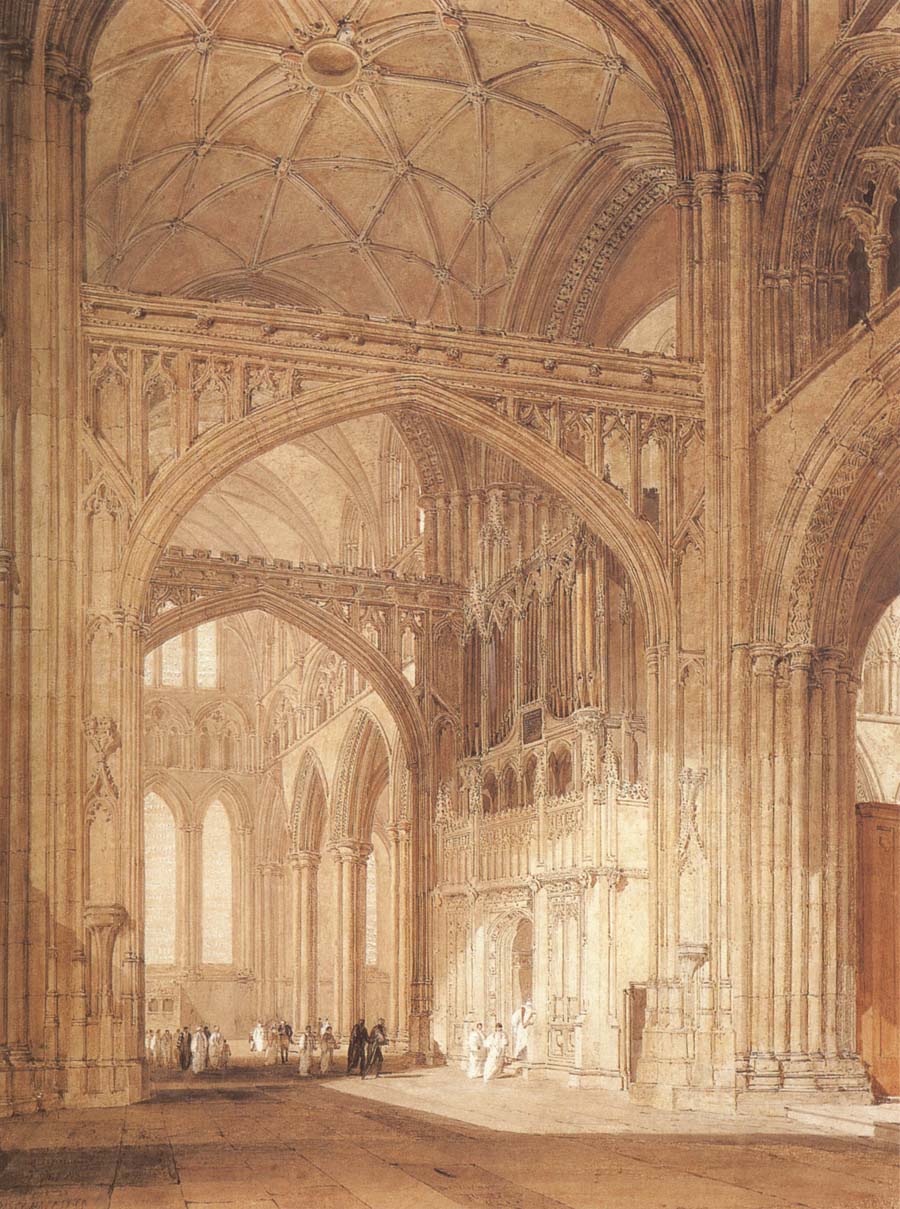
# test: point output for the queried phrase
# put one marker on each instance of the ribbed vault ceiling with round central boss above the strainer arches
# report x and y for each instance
(422, 189)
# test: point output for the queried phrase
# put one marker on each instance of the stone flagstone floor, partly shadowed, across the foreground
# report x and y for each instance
(263, 1139)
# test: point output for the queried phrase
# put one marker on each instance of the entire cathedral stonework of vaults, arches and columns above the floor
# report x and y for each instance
(451, 537)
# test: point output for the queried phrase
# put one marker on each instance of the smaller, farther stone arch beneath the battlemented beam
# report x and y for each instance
(388, 682)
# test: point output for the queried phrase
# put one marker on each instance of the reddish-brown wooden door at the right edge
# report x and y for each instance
(879, 980)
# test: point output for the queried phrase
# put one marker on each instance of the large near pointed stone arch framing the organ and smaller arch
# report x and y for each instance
(632, 541)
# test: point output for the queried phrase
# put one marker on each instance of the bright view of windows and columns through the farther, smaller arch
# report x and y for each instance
(273, 854)
